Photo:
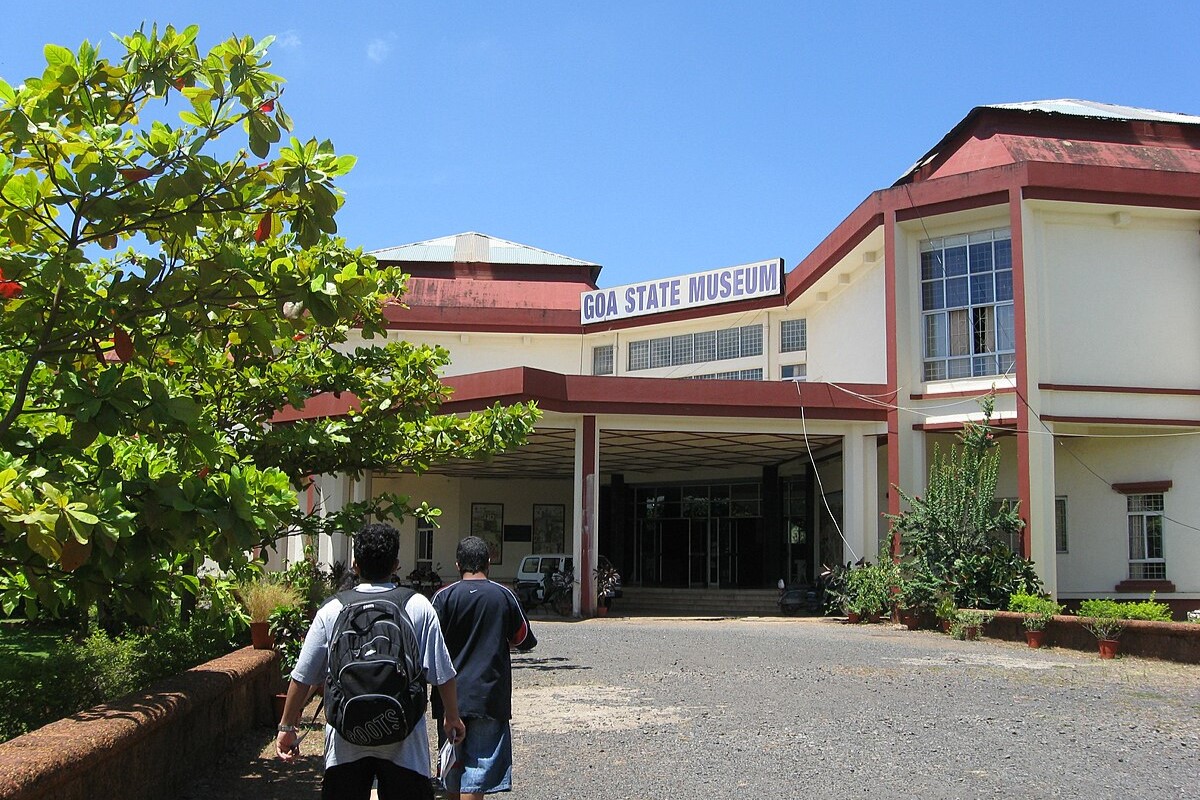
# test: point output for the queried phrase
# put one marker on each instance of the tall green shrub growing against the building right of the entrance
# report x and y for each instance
(957, 536)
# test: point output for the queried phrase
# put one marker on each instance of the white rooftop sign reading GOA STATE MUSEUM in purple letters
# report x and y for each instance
(730, 284)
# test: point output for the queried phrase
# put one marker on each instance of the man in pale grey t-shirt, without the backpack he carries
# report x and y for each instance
(403, 771)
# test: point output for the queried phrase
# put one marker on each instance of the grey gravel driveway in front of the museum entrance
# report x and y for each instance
(811, 708)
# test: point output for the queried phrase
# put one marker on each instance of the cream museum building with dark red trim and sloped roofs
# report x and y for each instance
(721, 431)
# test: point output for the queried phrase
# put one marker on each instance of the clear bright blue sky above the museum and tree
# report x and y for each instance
(656, 139)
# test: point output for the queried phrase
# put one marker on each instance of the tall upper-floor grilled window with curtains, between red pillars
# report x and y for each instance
(967, 303)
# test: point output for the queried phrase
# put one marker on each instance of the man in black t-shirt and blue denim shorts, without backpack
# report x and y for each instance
(481, 621)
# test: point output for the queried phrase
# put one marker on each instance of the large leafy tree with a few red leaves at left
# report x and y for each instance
(170, 281)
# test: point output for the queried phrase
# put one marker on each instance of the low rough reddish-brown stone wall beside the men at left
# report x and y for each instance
(148, 744)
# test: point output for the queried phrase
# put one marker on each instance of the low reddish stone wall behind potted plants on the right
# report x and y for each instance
(1168, 641)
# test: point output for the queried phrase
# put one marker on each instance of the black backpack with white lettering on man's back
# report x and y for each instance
(375, 693)
